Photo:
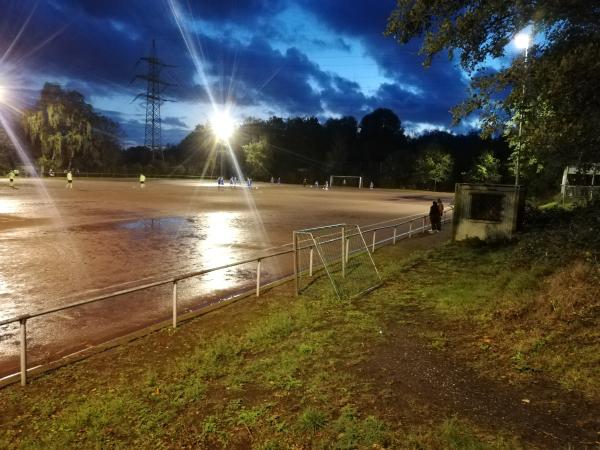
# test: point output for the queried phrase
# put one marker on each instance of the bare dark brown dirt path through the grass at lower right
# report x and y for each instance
(415, 381)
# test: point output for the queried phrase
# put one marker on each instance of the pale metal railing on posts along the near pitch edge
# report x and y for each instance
(23, 318)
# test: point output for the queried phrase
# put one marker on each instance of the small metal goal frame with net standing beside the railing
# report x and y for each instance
(335, 252)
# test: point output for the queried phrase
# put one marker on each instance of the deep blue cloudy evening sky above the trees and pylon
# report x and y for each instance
(324, 58)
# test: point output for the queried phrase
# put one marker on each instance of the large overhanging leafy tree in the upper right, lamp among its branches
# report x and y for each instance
(554, 92)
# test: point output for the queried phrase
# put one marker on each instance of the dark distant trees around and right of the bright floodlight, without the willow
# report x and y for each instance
(376, 148)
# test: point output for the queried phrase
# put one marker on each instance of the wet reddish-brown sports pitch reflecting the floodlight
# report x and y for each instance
(60, 245)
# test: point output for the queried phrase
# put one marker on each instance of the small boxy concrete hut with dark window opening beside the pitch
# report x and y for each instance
(487, 211)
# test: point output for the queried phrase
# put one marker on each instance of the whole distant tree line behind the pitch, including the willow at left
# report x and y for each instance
(64, 132)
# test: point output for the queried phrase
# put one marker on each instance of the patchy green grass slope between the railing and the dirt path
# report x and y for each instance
(285, 372)
